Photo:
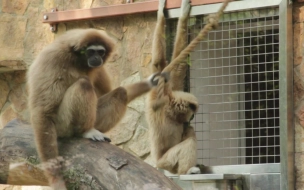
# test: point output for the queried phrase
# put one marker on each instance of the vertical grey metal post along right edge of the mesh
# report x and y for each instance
(286, 97)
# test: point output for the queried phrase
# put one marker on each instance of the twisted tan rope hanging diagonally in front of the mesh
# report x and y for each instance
(212, 23)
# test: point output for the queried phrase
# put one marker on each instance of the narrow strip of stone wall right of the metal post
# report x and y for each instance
(298, 29)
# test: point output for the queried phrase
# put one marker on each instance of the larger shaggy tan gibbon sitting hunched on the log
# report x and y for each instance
(70, 94)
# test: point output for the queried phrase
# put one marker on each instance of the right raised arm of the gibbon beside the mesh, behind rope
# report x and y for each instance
(179, 71)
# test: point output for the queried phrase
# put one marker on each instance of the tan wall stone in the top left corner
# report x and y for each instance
(14, 6)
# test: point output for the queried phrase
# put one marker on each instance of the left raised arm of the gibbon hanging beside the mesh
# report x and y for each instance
(159, 44)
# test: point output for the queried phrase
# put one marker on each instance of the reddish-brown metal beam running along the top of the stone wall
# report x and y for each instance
(114, 10)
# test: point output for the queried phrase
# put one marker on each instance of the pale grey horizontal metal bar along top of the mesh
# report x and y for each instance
(233, 6)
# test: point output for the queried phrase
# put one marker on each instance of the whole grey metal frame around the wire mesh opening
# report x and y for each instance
(286, 165)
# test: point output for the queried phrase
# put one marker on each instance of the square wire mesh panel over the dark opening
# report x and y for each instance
(234, 73)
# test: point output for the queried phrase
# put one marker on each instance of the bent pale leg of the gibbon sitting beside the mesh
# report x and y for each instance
(181, 158)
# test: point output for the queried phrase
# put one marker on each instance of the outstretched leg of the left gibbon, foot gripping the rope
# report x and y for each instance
(112, 106)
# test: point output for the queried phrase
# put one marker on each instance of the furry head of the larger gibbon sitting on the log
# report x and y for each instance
(92, 47)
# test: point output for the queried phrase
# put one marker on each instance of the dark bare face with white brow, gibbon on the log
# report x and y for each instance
(94, 55)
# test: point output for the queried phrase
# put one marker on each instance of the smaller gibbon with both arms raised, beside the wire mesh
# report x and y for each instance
(173, 141)
